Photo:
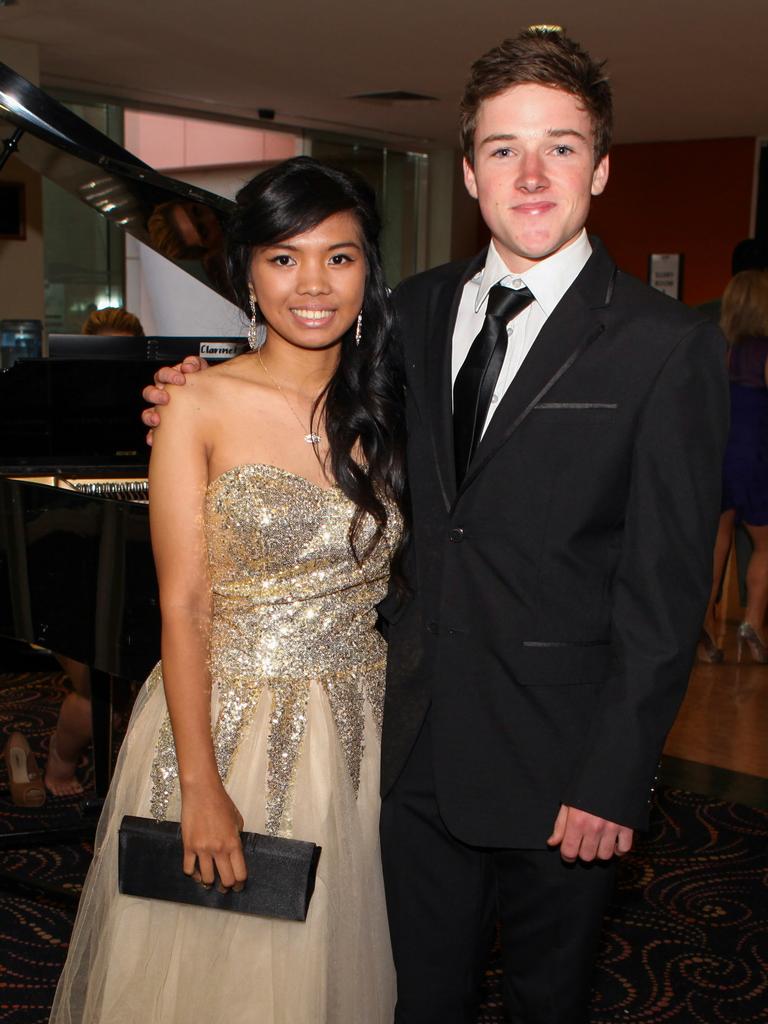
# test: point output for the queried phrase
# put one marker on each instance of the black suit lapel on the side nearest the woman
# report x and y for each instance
(442, 321)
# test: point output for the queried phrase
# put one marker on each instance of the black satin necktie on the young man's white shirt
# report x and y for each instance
(477, 380)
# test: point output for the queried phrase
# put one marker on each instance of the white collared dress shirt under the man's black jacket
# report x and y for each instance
(548, 282)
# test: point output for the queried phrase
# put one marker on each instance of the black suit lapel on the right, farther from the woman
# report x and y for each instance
(573, 327)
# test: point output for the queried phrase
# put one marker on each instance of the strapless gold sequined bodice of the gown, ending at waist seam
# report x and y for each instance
(289, 596)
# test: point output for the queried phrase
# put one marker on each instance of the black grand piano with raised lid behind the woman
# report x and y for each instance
(76, 570)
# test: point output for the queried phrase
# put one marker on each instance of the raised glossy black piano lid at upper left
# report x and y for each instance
(181, 222)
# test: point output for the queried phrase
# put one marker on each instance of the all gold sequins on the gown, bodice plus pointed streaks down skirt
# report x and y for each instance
(292, 609)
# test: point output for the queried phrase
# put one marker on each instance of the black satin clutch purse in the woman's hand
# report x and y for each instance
(281, 872)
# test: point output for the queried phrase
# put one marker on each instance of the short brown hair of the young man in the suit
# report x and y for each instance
(541, 57)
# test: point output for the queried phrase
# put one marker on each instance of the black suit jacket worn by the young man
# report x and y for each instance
(559, 593)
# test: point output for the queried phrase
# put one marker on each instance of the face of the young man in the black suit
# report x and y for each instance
(534, 172)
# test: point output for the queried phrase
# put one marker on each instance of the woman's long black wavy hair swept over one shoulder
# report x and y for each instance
(364, 400)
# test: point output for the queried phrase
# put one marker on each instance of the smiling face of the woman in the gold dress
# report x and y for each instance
(311, 287)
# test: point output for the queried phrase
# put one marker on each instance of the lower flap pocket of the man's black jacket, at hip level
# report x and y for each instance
(541, 663)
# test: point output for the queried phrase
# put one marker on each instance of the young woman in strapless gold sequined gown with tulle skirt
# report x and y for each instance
(276, 485)
